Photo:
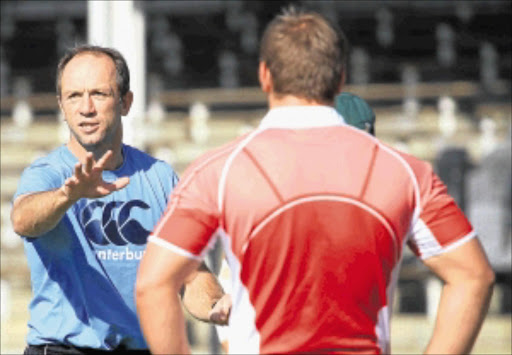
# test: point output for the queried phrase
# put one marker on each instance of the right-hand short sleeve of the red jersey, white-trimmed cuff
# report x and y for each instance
(441, 225)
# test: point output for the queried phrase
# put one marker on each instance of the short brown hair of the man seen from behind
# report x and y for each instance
(305, 54)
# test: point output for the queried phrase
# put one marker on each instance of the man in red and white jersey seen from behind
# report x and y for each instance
(314, 216)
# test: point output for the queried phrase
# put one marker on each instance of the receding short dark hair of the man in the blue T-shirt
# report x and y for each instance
(122, 71)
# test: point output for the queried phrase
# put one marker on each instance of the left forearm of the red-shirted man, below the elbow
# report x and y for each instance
(162, 321)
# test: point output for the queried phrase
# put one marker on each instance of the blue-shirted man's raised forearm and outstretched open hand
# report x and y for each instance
(35, 214)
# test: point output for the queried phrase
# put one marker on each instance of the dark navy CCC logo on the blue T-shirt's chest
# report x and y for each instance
(111, 230)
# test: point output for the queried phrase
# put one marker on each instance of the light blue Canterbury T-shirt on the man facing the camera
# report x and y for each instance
(83, 271)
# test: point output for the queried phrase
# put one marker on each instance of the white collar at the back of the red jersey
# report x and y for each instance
(296, 117)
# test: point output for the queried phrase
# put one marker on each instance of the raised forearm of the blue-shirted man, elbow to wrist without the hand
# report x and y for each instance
(35, 214)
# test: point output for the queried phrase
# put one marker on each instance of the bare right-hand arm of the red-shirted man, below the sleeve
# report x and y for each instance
(468, 282)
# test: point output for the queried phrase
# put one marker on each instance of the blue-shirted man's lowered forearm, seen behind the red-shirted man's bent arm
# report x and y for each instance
(201, 293)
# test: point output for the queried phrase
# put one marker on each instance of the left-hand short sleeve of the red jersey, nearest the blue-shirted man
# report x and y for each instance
(189, 223)
